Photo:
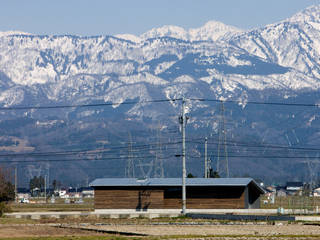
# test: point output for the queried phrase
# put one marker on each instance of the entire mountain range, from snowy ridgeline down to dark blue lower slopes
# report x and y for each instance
(278, 63)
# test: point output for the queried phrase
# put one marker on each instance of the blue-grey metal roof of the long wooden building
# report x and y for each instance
(134, 182)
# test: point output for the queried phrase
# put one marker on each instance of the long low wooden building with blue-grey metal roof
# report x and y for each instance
(166, 193)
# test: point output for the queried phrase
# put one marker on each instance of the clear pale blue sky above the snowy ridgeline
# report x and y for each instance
(109, 17)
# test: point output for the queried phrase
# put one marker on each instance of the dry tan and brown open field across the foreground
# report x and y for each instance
(175, 228)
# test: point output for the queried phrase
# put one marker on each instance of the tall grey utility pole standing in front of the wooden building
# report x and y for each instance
(183, 124)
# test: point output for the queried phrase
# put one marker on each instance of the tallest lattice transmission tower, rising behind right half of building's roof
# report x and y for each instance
(222, 138)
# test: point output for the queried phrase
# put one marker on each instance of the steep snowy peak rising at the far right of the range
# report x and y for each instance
(293, 43)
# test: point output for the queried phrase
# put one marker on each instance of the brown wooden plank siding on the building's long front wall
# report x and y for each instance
(169, 197)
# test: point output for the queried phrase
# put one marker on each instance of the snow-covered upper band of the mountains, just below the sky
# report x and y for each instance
(281, 55)
